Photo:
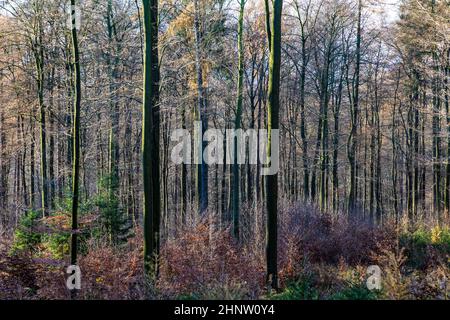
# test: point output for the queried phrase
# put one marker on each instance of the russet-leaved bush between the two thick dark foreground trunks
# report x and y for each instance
(203, 259)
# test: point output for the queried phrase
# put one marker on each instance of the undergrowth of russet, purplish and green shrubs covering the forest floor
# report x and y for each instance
(321, 256)
